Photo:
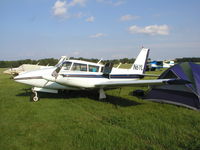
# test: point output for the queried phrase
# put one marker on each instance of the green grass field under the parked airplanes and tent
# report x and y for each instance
(80, 122)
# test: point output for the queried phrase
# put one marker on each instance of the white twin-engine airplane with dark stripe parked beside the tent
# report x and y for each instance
(82, 75)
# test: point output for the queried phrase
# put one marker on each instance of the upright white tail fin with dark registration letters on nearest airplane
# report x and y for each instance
(139, 65)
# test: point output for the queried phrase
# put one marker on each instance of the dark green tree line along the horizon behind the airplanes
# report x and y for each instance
(52, 61)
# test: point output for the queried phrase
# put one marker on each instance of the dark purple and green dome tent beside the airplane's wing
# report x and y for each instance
(185, 95)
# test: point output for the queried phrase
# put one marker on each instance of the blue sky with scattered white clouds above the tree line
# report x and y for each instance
(107, 29)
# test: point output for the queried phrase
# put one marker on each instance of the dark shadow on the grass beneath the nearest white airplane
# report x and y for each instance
(93, 95)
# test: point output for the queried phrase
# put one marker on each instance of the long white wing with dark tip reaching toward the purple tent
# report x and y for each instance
(140, 83)
